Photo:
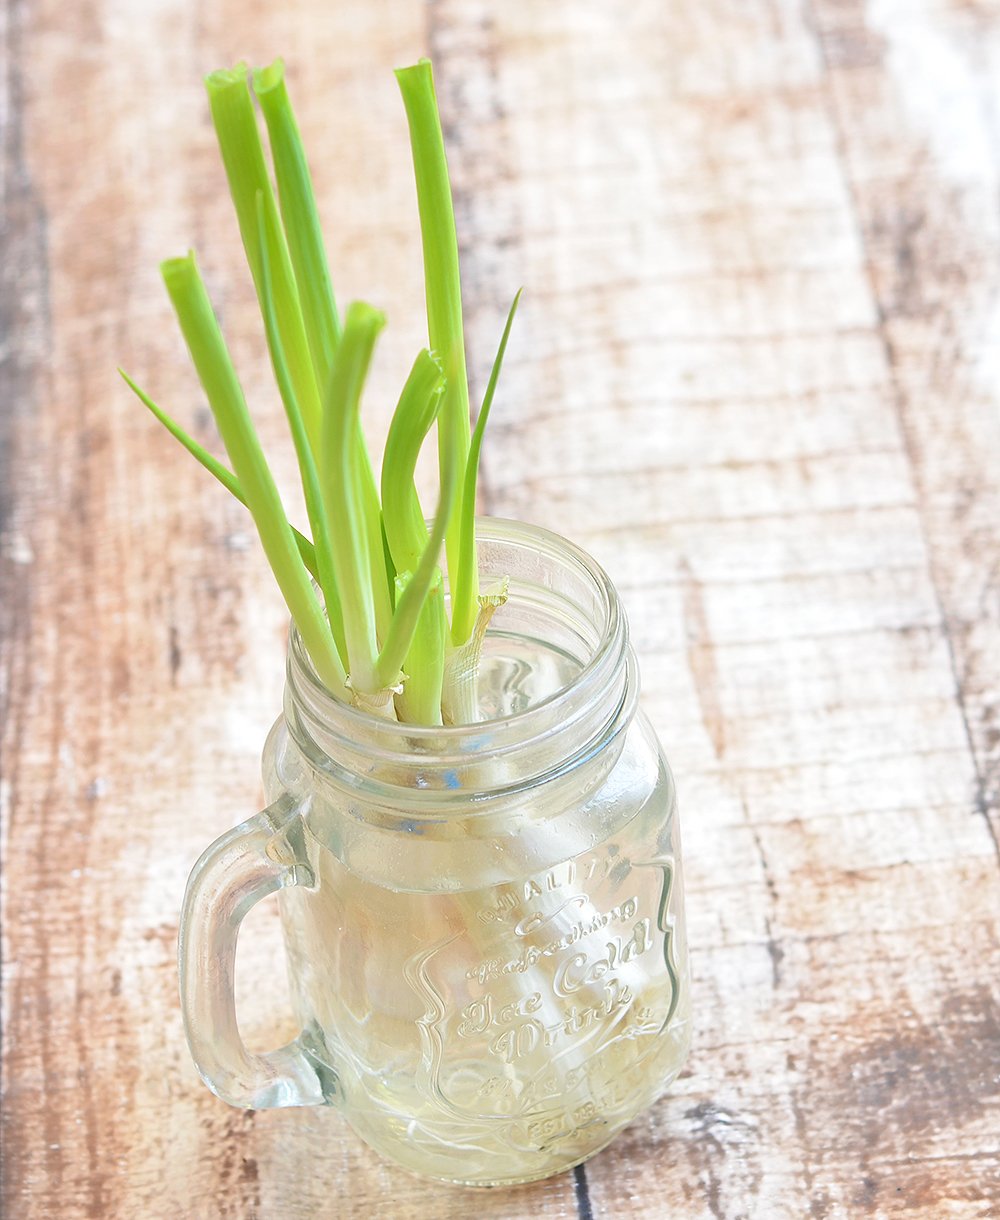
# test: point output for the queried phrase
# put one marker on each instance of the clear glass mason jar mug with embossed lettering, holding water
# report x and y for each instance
(485, 923)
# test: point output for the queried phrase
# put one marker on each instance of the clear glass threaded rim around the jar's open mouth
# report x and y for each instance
(521, 725)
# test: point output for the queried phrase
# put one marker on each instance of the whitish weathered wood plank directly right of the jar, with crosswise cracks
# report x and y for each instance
(719, 420)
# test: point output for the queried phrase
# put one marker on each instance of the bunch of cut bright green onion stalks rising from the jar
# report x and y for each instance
(366, 589)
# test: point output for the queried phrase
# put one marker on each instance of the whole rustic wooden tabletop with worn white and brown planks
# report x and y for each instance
(757, 373)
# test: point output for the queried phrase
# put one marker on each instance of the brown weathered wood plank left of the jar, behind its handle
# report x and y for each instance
(143, 683)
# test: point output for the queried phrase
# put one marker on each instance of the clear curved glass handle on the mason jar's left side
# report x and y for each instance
(241, 868)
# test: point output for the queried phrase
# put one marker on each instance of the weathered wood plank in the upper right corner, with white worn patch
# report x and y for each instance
(920, 81)
